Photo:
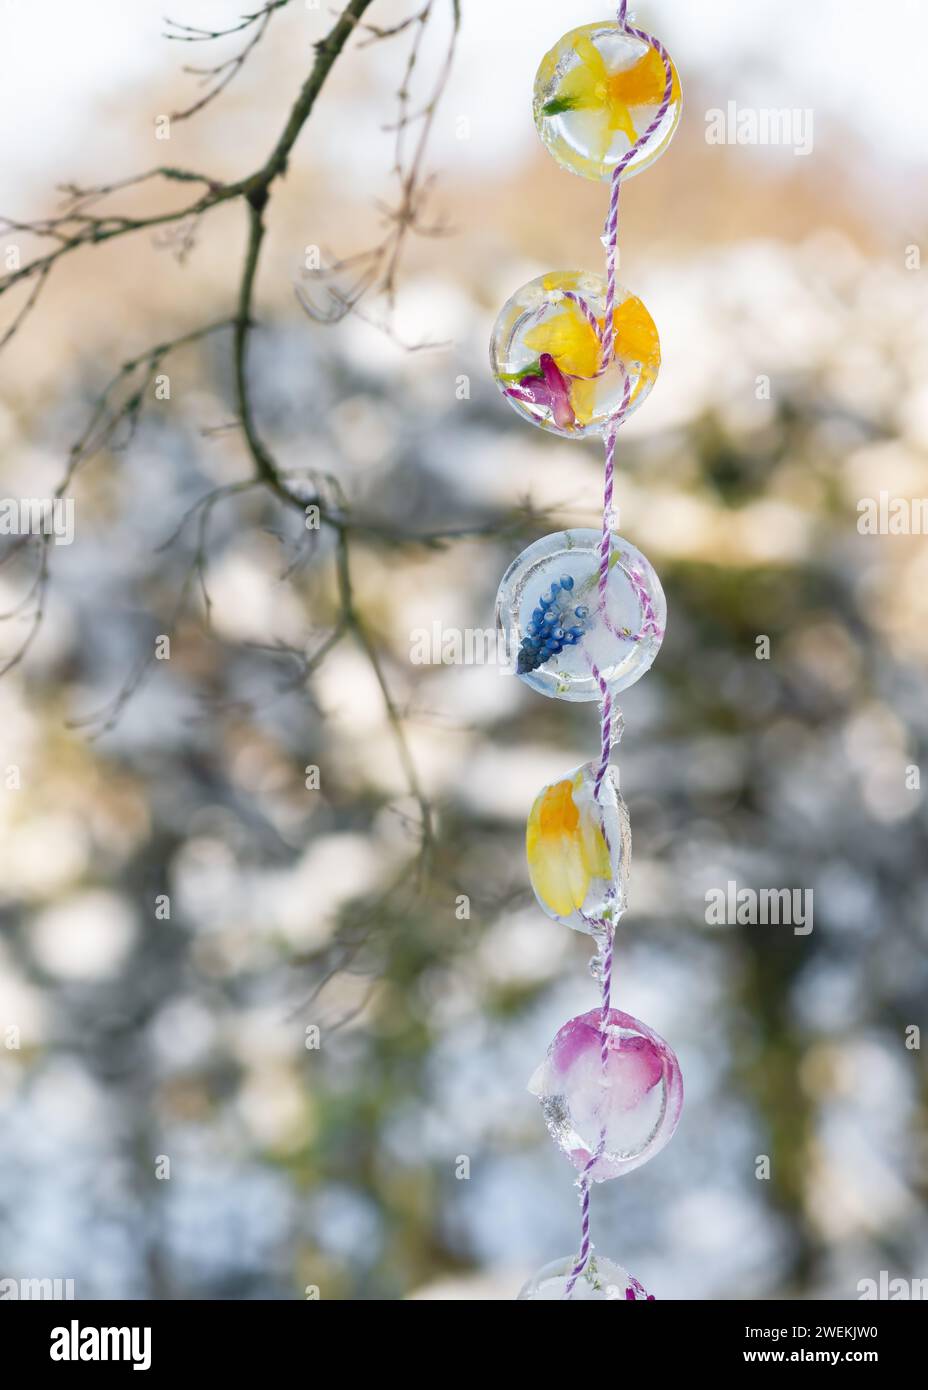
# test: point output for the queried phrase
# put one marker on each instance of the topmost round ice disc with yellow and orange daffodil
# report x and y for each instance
(598, 94)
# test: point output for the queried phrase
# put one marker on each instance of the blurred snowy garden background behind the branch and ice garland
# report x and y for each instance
(294, 908)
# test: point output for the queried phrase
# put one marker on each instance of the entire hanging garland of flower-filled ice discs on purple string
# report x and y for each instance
(584, 615)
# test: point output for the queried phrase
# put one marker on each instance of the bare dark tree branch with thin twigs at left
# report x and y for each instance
(87, 223)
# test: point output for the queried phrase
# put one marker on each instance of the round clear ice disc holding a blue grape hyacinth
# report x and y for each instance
(559, 626)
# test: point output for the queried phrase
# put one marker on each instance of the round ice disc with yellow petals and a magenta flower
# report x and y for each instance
(548, 358)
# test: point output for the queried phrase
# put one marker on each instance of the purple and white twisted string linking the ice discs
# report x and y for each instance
(608, 338)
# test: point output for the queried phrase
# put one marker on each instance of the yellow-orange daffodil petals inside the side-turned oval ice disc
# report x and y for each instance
(566, 847)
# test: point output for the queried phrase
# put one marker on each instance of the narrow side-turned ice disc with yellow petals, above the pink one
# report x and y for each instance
(579, 850)
